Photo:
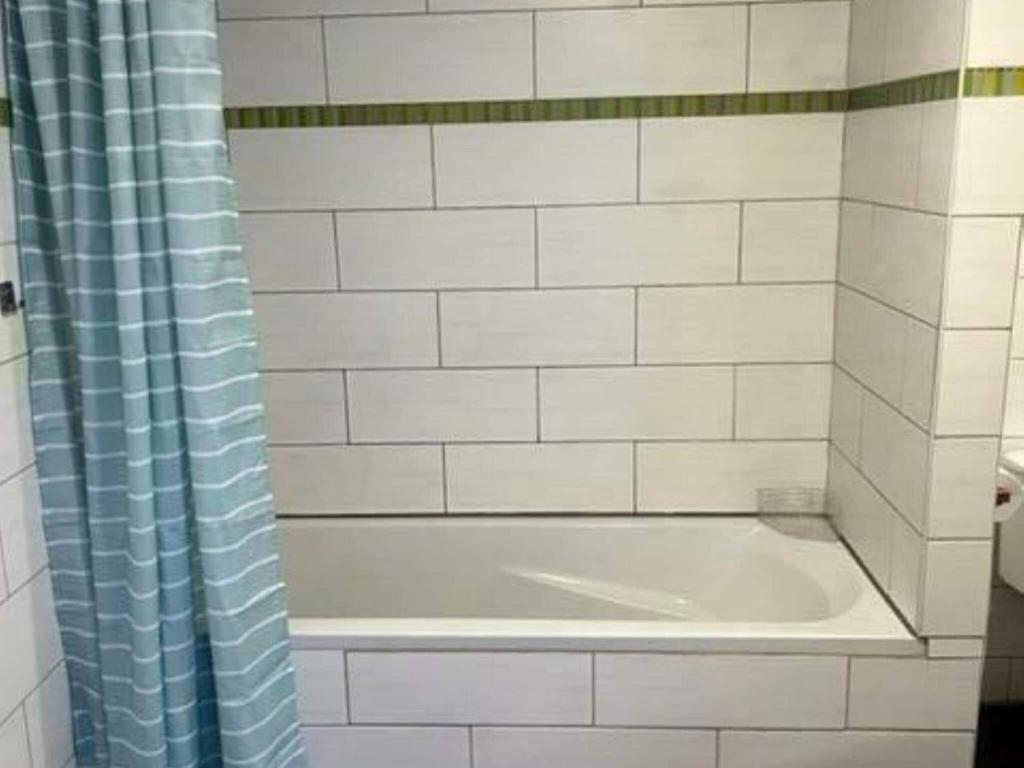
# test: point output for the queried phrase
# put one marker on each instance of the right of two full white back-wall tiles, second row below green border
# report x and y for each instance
(639, 245)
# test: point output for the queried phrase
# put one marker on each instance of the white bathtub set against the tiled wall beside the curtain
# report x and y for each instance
(694, 585)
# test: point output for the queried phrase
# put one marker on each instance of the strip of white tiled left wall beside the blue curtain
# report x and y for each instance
(35, 718)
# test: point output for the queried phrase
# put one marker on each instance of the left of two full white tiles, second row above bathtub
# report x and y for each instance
(442, 406)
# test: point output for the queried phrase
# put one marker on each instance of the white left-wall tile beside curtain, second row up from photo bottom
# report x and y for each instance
(32, 645)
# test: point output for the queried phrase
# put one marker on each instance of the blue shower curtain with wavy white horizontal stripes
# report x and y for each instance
(146, 400)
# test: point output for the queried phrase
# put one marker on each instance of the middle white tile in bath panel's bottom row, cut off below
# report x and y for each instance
(592, 748)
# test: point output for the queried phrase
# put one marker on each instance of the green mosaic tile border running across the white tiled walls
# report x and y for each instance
(1005, 81)
